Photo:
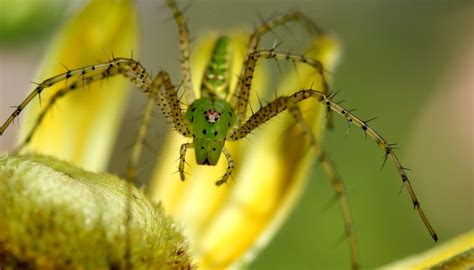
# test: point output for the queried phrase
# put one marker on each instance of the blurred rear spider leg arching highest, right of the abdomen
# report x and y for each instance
(254, 41)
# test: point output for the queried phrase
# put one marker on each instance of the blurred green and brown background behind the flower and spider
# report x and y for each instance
(409, 63)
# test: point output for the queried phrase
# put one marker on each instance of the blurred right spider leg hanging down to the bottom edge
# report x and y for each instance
(334, 179)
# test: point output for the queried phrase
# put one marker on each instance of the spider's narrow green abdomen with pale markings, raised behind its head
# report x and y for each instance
(215, 81)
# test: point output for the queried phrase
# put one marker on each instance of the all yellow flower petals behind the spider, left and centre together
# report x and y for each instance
(225, 225)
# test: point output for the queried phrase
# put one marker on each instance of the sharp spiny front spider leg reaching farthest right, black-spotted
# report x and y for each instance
(280, 104)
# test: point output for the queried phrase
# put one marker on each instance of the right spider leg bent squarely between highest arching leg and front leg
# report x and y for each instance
(243, 96)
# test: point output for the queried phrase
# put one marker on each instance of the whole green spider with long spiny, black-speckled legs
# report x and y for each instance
(219, 114)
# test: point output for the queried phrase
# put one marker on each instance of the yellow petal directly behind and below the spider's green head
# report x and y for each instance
(180, 198)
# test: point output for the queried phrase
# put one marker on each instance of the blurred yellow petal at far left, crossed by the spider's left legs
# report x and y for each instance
(80, 128)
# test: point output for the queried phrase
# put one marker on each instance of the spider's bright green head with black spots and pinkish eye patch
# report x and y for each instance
(209, 120)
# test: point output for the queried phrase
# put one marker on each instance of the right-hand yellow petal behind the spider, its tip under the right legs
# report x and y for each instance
(271, 176)
